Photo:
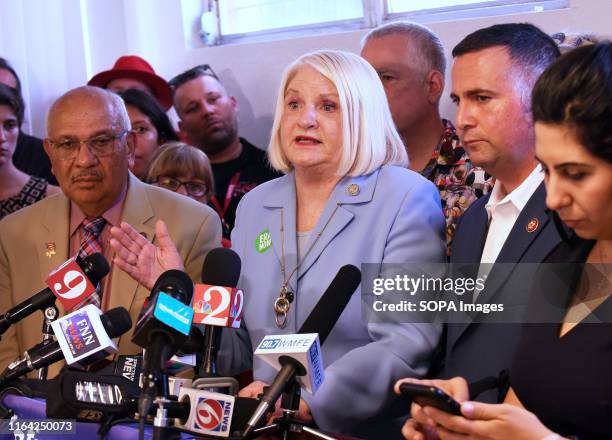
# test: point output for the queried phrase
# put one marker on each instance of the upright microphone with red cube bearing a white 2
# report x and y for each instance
(217, 302)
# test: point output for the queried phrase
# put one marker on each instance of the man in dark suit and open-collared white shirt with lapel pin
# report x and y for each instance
(493, 73)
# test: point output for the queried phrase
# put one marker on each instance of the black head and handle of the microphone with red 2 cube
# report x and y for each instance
(221, 268)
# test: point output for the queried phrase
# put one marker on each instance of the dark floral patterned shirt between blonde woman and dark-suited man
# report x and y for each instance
(457, 179)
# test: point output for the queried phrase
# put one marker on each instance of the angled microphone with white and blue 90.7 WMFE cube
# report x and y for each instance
(323, 317)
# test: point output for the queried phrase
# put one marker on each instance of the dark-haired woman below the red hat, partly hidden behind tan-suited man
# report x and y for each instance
(151, 126)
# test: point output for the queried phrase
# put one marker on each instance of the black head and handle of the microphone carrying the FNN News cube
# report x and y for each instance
(116, 322)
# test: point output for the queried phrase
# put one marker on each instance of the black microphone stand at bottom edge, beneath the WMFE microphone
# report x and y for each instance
(290, 404)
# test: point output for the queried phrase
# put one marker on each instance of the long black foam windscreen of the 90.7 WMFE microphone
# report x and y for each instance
(333, 301)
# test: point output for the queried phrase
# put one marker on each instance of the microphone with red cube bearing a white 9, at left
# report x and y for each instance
(78, 276)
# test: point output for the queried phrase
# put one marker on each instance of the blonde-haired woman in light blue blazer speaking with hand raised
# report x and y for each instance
(346, 198)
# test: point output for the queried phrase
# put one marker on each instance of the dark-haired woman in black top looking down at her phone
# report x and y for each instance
(560, 377)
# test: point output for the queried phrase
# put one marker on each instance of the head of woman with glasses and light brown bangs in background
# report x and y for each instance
(183, 169)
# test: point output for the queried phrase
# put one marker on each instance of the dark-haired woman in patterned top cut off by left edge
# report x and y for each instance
(17, 189)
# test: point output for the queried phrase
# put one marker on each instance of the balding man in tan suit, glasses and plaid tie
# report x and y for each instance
(91, 146)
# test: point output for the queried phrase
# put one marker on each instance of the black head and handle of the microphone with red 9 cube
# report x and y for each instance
(94, 266)
